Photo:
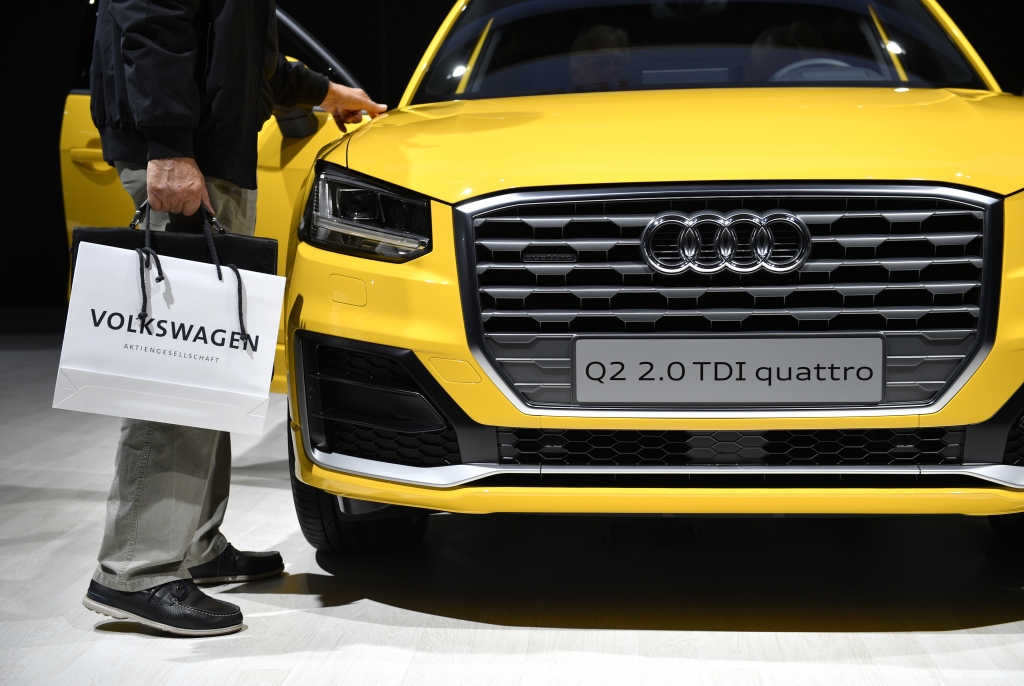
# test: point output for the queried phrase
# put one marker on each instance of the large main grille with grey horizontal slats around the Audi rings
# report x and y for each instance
(907, 268)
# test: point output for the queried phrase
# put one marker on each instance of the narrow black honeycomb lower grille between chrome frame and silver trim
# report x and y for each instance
(942, 446)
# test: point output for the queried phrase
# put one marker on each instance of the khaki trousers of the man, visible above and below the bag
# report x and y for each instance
(172, 483)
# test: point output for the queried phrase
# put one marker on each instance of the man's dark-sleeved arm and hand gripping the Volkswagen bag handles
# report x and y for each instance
(159, 51)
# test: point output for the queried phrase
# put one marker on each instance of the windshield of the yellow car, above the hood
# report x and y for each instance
(502, 49)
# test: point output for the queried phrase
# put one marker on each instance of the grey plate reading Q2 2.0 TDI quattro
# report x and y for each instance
(732, 371)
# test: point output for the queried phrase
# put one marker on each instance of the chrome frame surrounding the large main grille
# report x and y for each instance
(991, 208)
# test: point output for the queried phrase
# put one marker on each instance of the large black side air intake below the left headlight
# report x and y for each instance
(367, 406)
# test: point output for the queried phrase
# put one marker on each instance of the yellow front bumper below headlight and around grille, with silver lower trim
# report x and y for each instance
(417, 309)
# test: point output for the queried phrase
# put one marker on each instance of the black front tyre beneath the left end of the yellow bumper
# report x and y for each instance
(327, 529)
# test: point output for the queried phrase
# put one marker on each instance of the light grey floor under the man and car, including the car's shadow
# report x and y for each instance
(499, 599)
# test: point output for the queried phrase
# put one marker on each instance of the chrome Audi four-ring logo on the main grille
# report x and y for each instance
(742, 242)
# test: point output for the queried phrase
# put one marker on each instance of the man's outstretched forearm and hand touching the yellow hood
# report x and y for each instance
(293, 84)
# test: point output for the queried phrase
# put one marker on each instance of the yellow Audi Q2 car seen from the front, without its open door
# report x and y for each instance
(645, 256)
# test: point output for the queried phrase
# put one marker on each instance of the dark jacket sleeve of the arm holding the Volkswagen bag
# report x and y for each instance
(159, 50)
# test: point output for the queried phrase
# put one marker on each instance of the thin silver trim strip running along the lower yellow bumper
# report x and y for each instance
(458, 476)
